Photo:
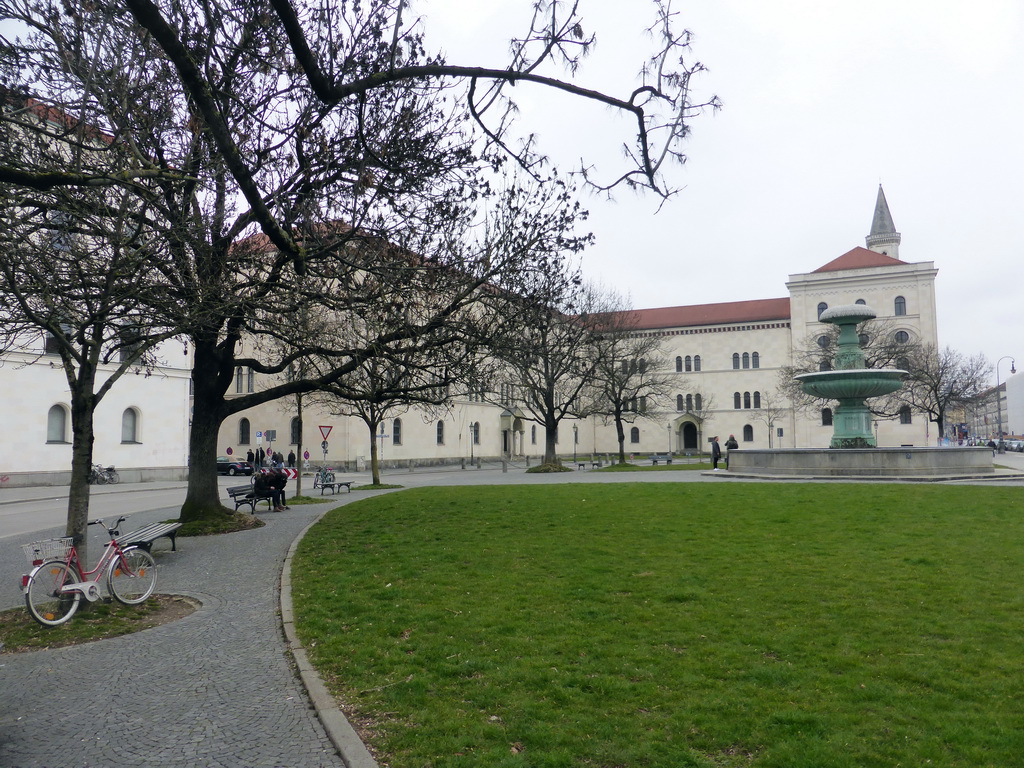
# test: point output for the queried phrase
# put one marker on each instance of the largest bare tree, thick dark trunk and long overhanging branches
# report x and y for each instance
(285, 118)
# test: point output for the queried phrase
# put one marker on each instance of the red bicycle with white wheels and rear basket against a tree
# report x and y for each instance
(56, 586)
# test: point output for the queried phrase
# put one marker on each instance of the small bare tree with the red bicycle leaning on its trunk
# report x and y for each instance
(76, 282)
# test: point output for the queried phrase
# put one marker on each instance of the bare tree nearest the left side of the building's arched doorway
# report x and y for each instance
(629, 379)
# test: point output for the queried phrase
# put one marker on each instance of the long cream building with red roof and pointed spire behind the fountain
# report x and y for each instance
(726, 357)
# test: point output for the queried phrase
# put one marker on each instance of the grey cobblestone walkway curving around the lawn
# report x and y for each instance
(219, 689)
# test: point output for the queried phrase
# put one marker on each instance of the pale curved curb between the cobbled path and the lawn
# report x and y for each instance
(339, 731)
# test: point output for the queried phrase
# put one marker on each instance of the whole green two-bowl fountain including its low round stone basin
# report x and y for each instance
(859, 457)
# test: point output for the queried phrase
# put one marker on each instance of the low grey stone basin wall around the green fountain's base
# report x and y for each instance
(885, 462)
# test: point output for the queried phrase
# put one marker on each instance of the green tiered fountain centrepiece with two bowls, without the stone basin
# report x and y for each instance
(849, 382)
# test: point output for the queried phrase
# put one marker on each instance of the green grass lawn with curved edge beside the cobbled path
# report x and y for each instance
(674, 625)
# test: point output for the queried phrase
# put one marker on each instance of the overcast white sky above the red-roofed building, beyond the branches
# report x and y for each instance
(823, 101)
